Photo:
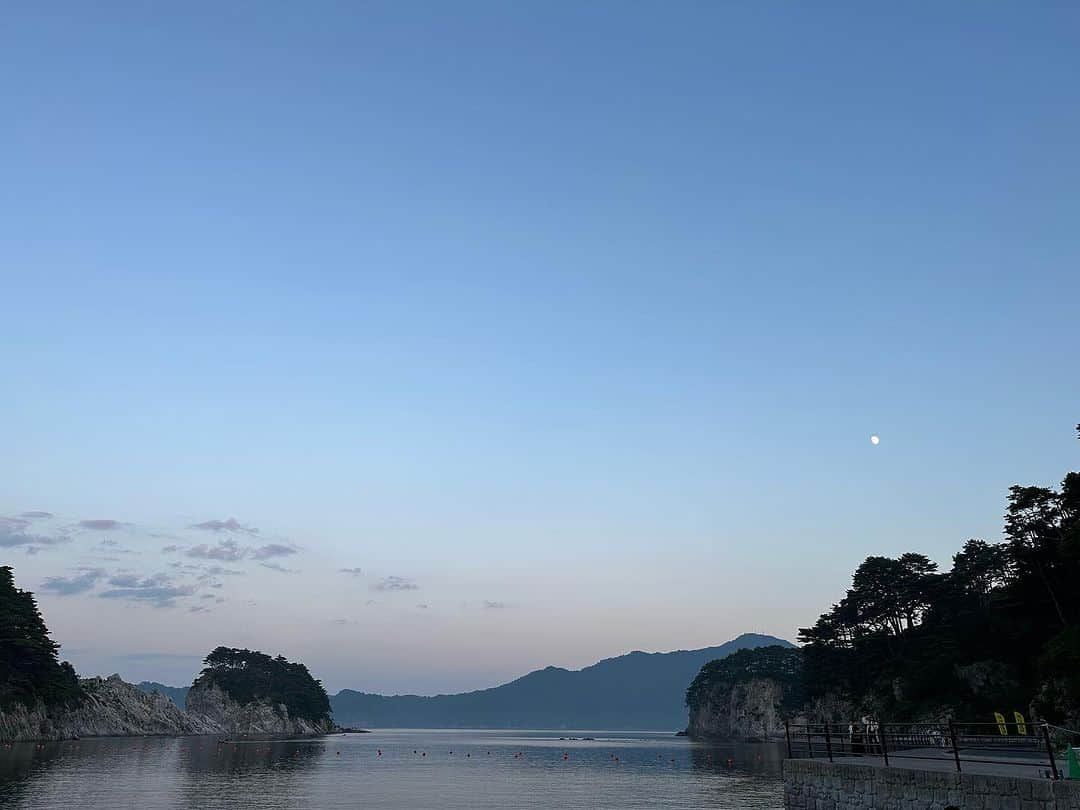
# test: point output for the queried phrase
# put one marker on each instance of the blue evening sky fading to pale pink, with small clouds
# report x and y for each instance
(431, 344)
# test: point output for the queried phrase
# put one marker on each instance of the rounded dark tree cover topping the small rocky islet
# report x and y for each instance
(248, 677)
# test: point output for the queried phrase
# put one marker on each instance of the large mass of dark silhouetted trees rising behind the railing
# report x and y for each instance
(998, 632)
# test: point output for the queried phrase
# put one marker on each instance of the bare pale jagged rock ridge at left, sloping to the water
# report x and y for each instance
(110, 708)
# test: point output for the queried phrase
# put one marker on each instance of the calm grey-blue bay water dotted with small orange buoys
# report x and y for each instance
(488, 771)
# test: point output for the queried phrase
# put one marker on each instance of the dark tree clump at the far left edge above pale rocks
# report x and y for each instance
(30, 668)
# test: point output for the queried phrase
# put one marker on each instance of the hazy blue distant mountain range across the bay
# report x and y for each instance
(639, 692)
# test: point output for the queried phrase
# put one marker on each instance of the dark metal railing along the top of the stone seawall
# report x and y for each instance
(987, 744)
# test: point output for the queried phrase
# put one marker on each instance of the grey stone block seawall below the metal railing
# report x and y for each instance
(813, 785)
